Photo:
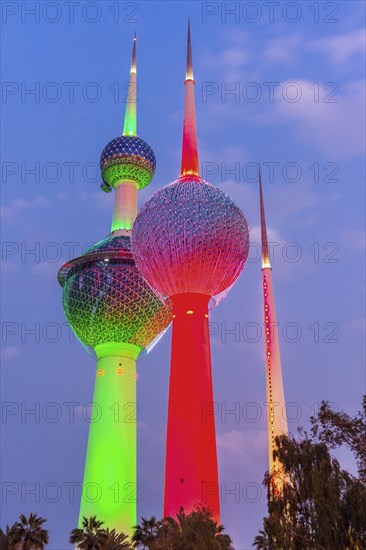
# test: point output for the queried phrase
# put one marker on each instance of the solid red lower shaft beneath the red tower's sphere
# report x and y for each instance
(191, 476)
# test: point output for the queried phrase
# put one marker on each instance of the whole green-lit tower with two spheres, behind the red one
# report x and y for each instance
(111, 309)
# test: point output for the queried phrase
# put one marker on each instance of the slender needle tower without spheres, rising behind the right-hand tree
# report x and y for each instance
(277, 420)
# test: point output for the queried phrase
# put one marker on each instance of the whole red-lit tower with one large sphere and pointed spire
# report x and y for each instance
(190, 242)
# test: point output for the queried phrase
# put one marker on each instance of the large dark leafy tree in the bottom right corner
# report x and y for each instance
(321, 506)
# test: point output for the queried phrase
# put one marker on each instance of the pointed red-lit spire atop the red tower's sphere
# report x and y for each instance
(189, 165)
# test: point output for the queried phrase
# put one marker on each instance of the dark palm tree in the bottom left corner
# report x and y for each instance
(27, 534)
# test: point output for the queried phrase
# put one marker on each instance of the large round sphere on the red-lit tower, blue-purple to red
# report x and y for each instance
(190, 237)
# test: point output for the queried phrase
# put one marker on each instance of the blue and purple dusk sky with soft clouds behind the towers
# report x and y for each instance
(280, 83)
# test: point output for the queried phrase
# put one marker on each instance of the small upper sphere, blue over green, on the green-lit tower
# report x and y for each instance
(127, 158)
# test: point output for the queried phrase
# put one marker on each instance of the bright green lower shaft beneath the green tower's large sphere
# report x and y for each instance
(110, 488)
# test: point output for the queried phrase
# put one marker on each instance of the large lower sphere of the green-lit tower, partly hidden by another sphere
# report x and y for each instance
(106, 299)
